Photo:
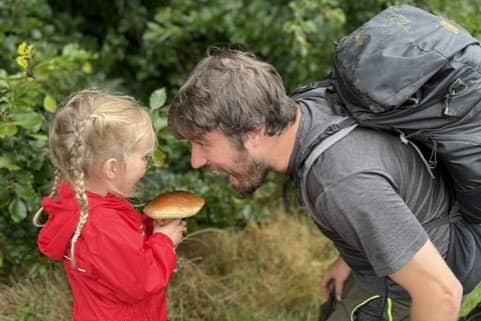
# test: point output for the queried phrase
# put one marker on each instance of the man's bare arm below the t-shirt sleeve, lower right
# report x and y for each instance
(435, 292)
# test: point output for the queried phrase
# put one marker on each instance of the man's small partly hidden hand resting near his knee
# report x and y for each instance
(335, 278)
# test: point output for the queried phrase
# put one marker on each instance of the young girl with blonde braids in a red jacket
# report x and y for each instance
(118, 264)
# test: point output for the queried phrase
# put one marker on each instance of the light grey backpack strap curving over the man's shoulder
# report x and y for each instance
(343, 128)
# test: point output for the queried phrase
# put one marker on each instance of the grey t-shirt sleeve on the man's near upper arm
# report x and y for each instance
(367, 213)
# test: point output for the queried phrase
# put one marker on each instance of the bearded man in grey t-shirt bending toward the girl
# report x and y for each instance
(370, 193)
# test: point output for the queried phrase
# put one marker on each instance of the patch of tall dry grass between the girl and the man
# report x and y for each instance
(260, 273)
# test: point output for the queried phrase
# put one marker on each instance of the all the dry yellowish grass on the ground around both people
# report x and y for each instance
(270, 272)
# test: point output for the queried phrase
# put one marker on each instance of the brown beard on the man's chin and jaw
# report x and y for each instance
(250, 176)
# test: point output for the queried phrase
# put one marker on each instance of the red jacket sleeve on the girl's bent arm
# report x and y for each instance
(132, 266)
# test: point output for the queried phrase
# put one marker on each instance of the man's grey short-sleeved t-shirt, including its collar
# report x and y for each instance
(371, 195)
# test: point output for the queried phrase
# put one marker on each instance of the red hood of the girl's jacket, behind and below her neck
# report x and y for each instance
(55, 236)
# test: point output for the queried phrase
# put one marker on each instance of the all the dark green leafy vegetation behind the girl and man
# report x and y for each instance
(147, 49)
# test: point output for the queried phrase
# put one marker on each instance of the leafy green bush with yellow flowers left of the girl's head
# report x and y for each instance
(29, 99)
